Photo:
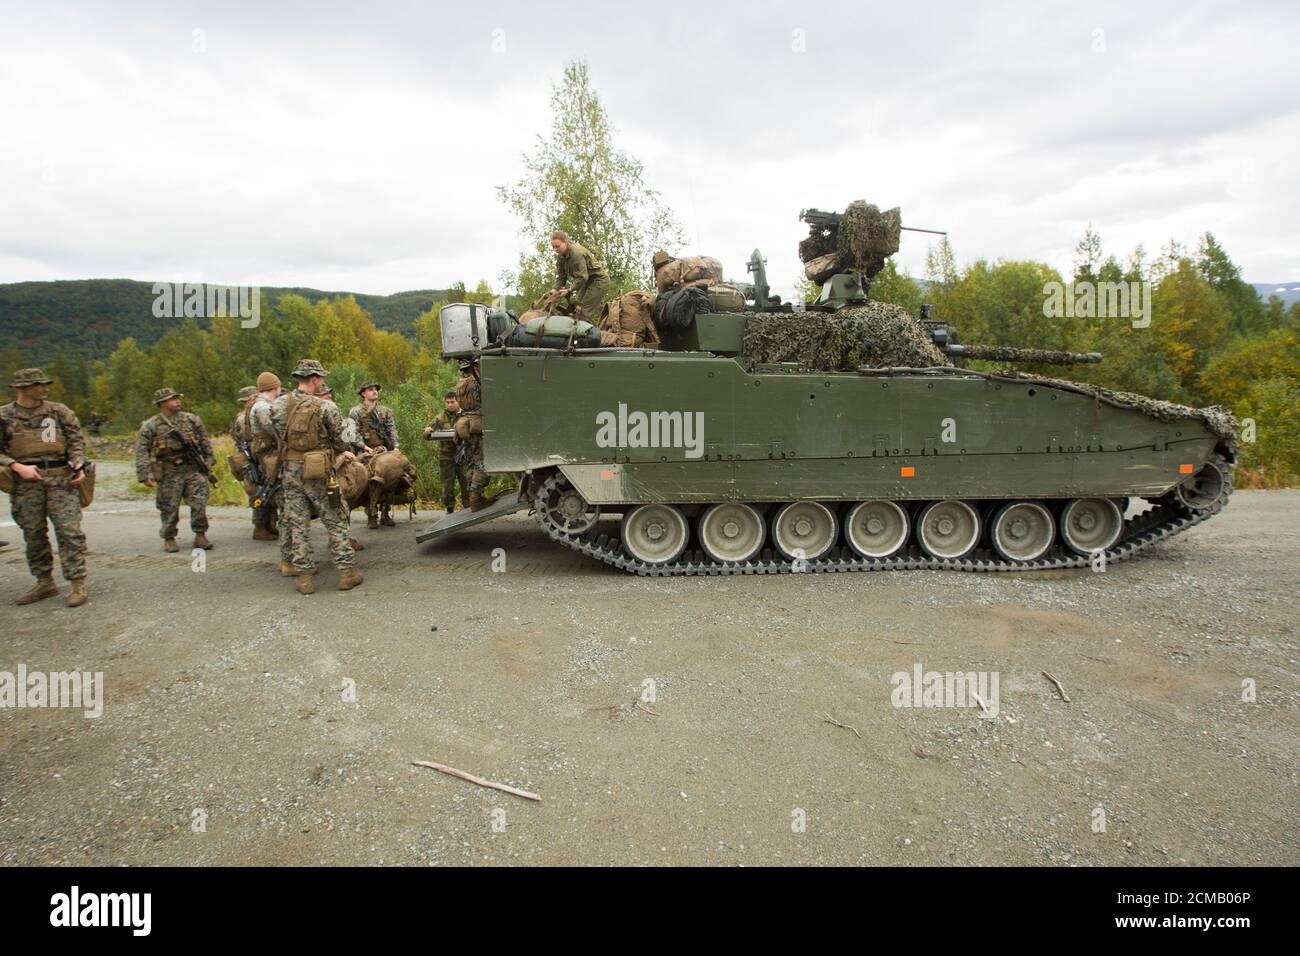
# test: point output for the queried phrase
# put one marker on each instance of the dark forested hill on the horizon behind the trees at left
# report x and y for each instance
(92, 317)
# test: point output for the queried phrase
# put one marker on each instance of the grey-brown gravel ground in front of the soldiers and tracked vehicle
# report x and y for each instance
(287, 725)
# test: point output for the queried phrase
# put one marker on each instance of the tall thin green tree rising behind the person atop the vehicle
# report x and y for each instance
(578, 181)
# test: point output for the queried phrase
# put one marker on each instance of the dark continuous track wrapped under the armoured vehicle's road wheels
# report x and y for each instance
(1167, 520)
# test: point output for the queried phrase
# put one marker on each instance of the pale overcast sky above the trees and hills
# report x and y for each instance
(359, 146)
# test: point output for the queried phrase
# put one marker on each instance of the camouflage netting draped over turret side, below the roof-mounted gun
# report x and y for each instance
(876, 335)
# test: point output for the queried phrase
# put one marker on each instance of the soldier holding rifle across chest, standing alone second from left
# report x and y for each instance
(163, 464)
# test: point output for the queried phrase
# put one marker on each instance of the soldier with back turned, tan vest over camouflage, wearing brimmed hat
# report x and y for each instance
(309, 429)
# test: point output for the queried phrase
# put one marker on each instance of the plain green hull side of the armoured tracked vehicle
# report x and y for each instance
(779, 435)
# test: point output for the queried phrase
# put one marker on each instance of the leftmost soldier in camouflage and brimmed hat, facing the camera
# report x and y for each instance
(45, 456)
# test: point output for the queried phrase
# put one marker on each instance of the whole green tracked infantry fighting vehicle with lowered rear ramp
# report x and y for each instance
(714, 458)
